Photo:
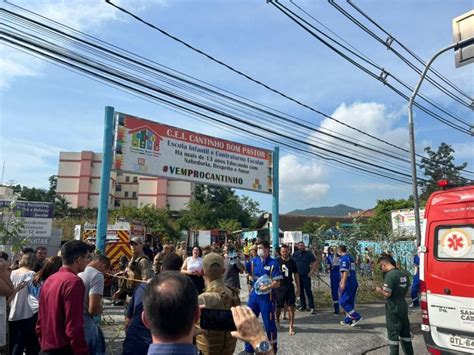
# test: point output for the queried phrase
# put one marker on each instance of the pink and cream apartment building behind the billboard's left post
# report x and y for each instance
(79, 182)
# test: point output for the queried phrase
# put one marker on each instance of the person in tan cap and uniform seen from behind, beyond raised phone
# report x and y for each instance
(216, 296)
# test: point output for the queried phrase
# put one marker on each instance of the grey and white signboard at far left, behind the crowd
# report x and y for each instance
(37, 218)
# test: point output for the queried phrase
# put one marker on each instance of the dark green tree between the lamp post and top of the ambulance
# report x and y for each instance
(440, 165)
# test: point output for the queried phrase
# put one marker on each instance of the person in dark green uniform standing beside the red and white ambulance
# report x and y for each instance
(394, 289)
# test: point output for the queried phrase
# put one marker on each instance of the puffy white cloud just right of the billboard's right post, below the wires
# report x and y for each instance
(301, 183)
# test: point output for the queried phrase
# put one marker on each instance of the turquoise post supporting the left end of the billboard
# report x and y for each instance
(102, 214)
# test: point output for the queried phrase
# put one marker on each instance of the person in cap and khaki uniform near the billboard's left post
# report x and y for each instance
(138, 268)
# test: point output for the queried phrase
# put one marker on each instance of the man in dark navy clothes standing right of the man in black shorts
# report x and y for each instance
(306, 264)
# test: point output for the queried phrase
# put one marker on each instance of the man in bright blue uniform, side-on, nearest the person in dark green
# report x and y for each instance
(348, 288)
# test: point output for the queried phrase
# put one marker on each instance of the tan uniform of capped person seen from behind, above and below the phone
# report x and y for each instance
(218, 296)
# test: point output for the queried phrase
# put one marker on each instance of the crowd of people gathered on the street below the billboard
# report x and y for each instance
(54, 304)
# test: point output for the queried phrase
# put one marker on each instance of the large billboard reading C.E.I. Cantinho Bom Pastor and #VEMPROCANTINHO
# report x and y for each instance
(144, 147)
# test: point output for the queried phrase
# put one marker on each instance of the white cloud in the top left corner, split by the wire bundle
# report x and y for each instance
(82, 15)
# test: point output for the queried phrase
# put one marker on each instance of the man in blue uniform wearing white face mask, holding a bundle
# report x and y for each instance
(266, 275)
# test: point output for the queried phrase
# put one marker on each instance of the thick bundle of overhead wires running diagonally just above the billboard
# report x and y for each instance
(132, 73)
